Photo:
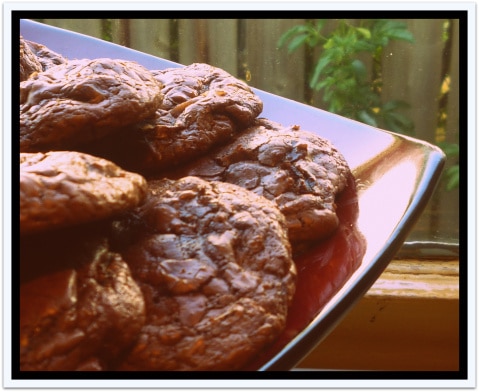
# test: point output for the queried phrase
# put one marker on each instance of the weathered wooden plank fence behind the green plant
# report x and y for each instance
(248, 48)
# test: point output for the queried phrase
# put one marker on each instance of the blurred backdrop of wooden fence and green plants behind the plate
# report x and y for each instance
(399, 75)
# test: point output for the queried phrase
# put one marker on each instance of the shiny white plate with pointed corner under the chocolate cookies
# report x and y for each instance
(395, 176)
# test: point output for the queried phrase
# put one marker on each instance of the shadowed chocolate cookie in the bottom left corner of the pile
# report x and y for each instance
(81, 315)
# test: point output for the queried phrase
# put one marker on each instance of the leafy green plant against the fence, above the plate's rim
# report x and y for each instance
(348, 87)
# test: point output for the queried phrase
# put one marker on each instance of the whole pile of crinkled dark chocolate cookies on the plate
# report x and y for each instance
(159, 215)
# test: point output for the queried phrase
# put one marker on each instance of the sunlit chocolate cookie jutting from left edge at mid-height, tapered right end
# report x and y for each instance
(62, 188)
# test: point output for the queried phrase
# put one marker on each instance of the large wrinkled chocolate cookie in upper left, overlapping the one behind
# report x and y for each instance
(83, 100)
